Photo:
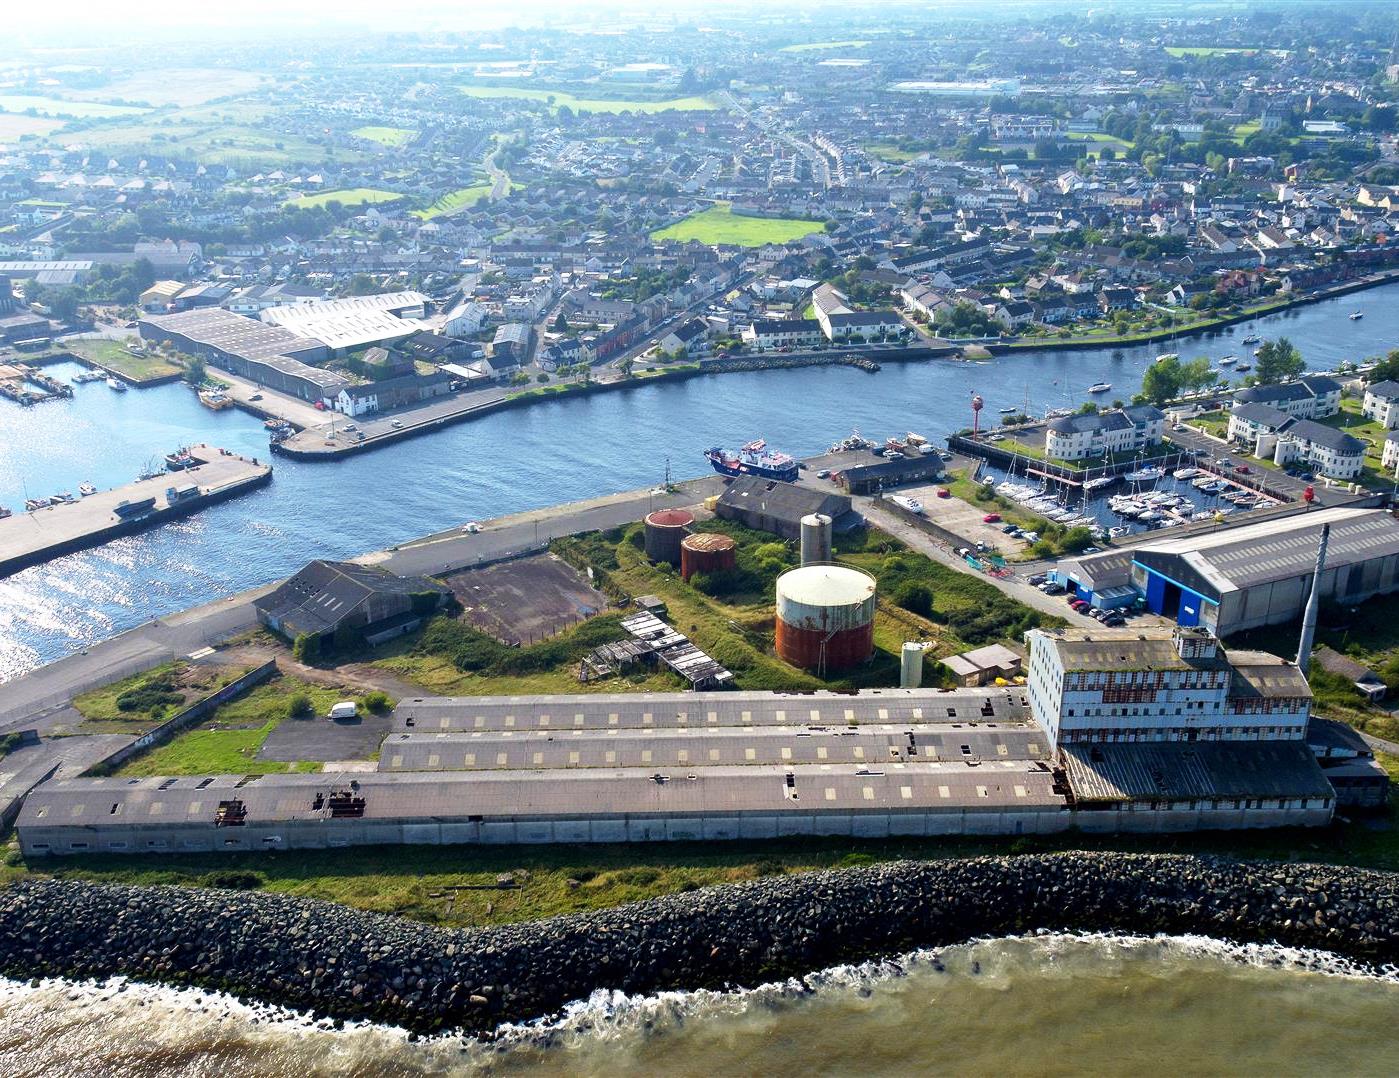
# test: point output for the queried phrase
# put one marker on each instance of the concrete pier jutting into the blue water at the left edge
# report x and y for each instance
(34, 538)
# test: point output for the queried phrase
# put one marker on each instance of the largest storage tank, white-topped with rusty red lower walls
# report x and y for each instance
(826, 617)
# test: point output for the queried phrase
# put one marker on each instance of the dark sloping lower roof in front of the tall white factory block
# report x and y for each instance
(1187, 771)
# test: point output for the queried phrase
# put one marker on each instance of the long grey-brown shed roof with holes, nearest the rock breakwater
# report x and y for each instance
(100, 805)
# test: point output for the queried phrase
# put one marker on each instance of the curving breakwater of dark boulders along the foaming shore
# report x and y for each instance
(334, 961)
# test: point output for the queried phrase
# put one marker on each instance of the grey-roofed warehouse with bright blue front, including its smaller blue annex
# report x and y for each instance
(1247, 577)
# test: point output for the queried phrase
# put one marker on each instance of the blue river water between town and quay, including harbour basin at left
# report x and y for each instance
(510, 462)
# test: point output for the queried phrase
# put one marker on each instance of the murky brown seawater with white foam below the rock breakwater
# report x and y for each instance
(1074, 1005)
